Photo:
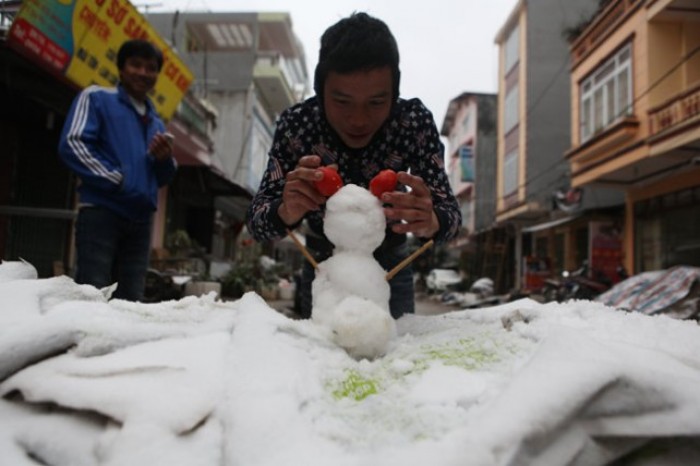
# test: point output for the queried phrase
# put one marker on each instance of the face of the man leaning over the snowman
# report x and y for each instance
(358, 103)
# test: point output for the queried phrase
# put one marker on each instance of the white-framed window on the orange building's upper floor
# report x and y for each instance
(606, 95)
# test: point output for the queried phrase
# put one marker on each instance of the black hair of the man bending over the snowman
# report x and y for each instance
(359, 42)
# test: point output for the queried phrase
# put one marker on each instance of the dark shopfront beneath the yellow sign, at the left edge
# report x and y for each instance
(36, 196)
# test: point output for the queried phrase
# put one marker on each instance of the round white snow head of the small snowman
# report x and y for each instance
(354, 220)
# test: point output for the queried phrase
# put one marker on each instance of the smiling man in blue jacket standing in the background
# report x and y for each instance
(116, 144)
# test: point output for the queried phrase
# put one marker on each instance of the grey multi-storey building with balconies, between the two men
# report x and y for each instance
(248, 67)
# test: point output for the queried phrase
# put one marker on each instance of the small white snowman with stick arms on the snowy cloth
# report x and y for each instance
(350, 295)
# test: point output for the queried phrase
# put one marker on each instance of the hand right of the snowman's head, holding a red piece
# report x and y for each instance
(413, 210)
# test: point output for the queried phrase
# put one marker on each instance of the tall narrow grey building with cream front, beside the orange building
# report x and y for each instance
(553, 222)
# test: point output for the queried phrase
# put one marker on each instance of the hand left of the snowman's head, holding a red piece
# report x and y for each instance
(300, 195)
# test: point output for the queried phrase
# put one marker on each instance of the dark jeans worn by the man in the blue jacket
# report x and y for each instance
(111, 248)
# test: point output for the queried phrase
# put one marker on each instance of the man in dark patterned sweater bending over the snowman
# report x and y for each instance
(357, 123)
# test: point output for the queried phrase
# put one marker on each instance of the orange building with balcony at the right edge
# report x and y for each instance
(635, 123)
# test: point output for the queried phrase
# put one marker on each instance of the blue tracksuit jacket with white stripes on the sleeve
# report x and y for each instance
(105, 142)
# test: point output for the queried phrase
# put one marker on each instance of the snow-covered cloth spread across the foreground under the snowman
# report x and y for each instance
(86, 381)
